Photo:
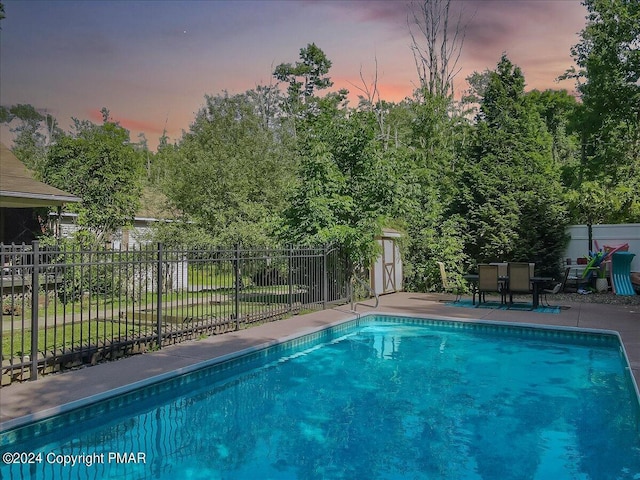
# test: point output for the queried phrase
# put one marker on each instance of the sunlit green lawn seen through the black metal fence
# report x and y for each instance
(91, 318)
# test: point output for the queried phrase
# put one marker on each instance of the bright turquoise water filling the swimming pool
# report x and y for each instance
(378, 398)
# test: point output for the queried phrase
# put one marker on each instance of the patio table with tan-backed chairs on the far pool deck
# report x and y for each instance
(508, 279)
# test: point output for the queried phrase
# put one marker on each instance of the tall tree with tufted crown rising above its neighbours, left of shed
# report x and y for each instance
(330, 203)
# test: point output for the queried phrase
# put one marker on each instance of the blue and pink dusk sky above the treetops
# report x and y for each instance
(152, 62)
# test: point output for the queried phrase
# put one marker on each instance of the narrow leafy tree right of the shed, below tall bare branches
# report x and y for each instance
(432, 154)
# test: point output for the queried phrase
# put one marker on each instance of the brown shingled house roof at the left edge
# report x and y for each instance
(19, 188)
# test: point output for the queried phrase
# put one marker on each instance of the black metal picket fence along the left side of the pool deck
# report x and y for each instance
(63, 308)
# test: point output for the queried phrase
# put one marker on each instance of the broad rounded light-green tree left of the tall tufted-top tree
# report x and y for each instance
(229, 173)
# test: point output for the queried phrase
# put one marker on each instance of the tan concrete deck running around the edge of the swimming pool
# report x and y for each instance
(60, 392)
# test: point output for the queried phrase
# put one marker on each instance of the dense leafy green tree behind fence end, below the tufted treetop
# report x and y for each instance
(334, 202)
